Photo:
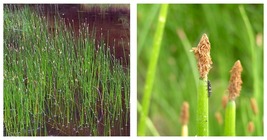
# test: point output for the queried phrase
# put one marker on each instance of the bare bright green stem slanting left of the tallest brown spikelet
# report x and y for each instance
(152, 69)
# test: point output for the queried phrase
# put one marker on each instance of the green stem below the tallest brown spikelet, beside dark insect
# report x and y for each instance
(202, 109)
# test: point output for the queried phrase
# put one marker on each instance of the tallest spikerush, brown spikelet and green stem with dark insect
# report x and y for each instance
(202, 54)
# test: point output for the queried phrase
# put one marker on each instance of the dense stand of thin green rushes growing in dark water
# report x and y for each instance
(59, 84)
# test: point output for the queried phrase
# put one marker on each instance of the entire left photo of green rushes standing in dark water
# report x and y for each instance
(66, 70)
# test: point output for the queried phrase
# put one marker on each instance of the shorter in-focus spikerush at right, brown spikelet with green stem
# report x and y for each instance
(234, 89)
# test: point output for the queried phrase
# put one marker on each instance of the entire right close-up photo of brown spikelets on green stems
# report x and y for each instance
(200, 70)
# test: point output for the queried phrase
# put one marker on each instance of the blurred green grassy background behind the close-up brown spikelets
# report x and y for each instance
(231, 39)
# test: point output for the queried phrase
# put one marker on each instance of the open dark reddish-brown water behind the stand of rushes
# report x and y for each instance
(111, 24)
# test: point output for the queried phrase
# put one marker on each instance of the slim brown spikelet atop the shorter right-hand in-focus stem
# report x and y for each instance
(234, 87)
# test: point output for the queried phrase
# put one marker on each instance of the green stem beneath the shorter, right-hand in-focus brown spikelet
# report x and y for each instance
(229, 128)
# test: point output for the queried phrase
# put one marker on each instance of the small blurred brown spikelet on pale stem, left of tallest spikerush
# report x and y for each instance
(184, 118)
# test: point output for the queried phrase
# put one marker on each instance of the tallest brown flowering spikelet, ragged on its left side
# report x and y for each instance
(202, 53)
